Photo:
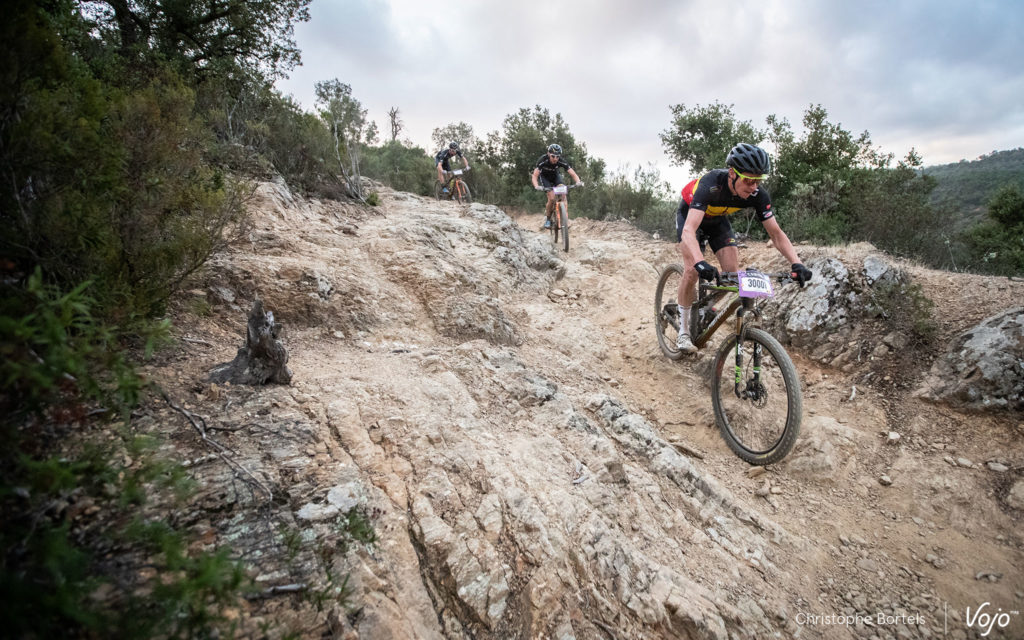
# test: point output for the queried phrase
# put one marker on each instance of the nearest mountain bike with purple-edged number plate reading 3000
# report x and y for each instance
(758, 402)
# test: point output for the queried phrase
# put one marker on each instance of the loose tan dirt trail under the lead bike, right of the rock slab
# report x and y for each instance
(933, 541)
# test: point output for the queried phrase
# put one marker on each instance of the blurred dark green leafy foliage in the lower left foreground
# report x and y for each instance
(62, 365)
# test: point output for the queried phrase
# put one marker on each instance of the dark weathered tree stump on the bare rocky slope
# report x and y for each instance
(263, 359)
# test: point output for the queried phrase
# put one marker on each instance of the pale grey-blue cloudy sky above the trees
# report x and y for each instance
(945, 77)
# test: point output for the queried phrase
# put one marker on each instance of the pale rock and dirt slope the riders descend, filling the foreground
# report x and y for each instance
(533, 467)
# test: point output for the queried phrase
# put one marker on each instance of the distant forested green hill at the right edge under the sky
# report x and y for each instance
(965, 188)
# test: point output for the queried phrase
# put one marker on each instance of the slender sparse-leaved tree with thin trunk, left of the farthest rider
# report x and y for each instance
(350, 127)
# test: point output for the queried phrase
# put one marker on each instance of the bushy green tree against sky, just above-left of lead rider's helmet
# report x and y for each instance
(702, 137)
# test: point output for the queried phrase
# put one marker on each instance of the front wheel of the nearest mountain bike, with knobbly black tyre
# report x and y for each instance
(757, 399)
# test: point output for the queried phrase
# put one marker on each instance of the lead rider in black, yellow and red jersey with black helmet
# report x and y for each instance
(705, 210)
